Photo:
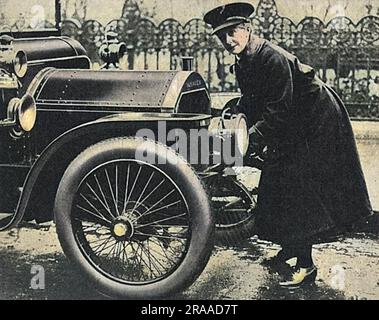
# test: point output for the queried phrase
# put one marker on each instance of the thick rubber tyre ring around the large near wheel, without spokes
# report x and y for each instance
(200, 217)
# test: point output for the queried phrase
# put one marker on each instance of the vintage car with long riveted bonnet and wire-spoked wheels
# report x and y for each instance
(137, 216)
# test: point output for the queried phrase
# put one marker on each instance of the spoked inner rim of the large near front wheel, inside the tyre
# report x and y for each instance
(131, 221)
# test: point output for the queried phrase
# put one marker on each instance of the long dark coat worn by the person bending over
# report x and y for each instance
(312, 184)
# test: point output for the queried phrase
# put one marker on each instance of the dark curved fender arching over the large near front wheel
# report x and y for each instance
(44, 176)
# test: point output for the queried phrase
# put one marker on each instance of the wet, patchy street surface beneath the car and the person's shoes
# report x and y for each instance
(347, 270)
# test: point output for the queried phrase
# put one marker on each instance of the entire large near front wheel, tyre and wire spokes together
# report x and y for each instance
(137, 229)
